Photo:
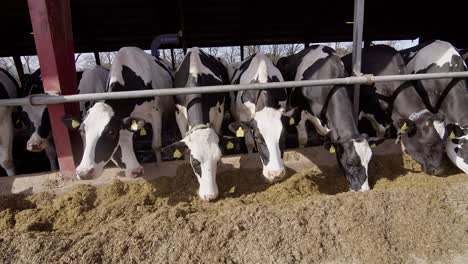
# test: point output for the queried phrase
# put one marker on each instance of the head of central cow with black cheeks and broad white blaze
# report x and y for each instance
(268, 127)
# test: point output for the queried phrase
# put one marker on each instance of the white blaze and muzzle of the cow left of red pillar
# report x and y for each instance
(36, 142)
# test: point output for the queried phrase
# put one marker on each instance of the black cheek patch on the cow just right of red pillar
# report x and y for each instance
(108, 140)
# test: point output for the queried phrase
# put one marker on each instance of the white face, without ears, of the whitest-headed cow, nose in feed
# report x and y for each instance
(204, 157)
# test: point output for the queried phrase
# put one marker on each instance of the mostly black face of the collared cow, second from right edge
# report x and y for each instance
(422, 139)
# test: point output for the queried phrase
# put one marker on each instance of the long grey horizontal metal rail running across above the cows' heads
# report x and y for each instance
(43, 99)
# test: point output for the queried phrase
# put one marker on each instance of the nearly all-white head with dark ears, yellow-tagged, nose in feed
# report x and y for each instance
(204, 146)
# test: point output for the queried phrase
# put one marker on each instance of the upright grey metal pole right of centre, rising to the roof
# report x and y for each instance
(357, 49)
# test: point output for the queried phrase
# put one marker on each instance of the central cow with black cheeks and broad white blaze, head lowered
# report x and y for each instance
(261, 115)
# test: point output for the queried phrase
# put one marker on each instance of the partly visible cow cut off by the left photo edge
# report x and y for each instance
(8, 90)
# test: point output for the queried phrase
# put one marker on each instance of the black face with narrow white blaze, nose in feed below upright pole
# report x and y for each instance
(353, 156)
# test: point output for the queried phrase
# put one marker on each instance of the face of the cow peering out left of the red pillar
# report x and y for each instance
(37, 119)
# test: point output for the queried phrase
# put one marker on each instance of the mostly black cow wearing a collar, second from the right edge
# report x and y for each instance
(398, 103)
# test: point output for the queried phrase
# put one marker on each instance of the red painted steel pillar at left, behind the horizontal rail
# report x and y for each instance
(51, 23)
